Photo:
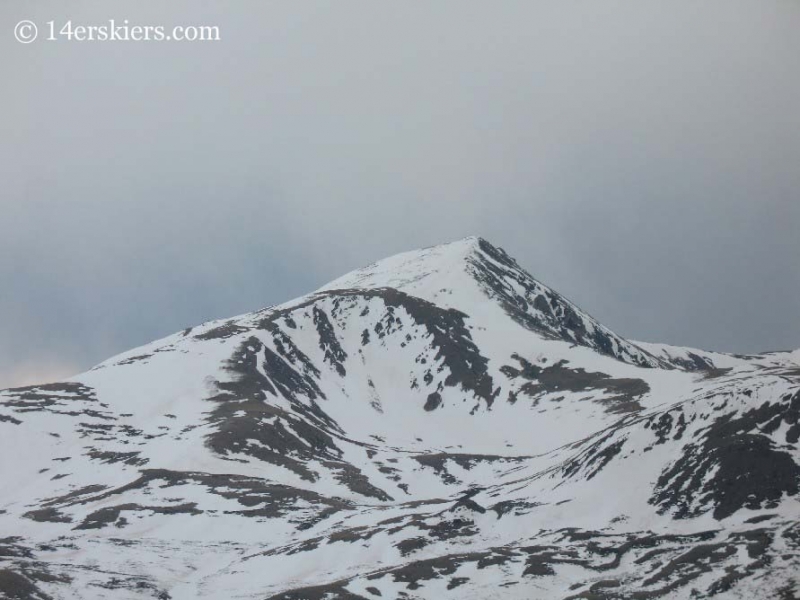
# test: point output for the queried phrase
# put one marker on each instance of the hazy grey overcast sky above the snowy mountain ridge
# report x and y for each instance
(643, 158)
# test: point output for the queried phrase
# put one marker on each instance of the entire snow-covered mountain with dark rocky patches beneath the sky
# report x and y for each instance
(436, 425)
